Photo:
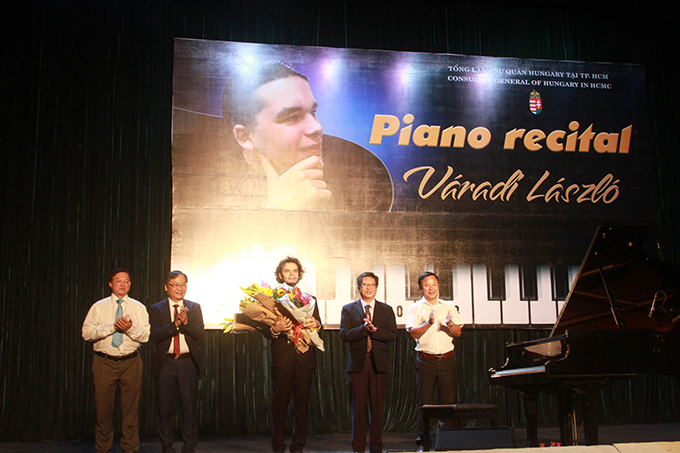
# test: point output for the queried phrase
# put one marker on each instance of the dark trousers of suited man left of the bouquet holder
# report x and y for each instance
(177, 378)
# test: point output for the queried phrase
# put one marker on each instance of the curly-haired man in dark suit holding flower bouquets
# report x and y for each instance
(292, 372)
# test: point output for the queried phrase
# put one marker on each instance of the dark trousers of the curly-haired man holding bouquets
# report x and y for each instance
(297, 381)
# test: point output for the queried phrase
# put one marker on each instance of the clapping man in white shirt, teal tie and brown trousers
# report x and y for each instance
(117, 325)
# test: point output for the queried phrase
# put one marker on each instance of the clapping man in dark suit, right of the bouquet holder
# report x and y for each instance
(367, 325)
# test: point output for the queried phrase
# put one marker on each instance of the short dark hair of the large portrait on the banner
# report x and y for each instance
(240, 104)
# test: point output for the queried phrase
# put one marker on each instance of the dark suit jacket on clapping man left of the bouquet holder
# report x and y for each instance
(163, 330)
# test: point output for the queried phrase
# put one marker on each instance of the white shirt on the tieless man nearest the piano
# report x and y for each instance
(436, 340)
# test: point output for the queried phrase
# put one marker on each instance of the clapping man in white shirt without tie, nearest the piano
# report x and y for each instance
(433, 323)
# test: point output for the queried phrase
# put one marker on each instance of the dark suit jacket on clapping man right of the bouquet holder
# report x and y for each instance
(353, 331)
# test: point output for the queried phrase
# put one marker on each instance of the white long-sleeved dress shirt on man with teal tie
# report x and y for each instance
(101, 318)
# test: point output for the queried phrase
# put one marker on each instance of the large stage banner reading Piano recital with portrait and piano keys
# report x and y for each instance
(492, 172)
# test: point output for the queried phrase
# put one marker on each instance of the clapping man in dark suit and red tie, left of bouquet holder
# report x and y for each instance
(177, 361)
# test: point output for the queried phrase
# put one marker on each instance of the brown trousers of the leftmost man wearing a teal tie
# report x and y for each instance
(109, 375)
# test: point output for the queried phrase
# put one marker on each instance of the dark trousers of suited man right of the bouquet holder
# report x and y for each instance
(367, 385)
